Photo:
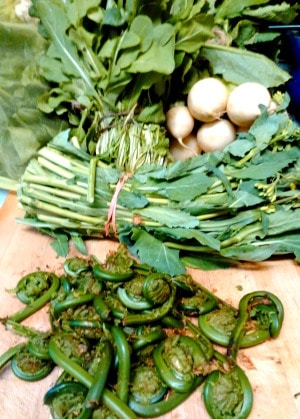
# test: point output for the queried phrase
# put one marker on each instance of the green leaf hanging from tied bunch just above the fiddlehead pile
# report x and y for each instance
(154, 253)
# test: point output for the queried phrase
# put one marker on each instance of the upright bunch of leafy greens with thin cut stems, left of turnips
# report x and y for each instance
(115, 65)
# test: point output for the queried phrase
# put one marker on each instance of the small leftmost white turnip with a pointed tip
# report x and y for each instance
(179, 122)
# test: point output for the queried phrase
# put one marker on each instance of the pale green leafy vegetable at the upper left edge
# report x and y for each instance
(24, 128)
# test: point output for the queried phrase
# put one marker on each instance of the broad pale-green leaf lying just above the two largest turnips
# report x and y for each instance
(236, 66)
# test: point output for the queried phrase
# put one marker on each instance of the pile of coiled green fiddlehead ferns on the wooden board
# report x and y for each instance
(128, 343)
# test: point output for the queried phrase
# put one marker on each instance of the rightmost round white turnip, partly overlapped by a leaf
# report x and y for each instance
(243, 103)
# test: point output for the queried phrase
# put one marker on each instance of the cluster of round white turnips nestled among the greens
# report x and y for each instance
(213, 115)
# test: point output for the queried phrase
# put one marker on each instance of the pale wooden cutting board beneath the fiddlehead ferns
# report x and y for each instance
(273, 368)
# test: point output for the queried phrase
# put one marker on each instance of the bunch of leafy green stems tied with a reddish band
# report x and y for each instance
(238, 204)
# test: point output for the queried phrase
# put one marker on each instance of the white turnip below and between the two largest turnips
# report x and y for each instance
(212, 136)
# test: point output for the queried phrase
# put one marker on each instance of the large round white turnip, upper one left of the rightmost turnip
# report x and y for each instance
(207, 99)
